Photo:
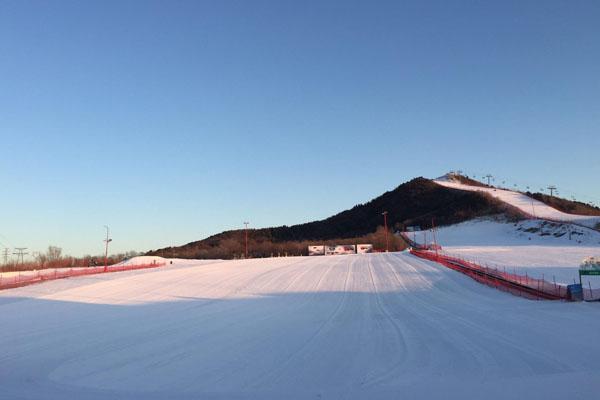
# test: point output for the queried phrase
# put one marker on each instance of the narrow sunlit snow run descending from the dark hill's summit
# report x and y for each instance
(524, 203)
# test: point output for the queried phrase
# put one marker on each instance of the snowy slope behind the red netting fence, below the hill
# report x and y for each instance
(536, 247)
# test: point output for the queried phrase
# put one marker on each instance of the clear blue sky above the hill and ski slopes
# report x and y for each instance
(173, 120)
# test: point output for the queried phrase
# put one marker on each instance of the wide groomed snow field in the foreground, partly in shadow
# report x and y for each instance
(376, 326)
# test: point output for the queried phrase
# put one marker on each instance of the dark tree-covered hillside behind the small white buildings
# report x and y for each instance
(416, 202)
